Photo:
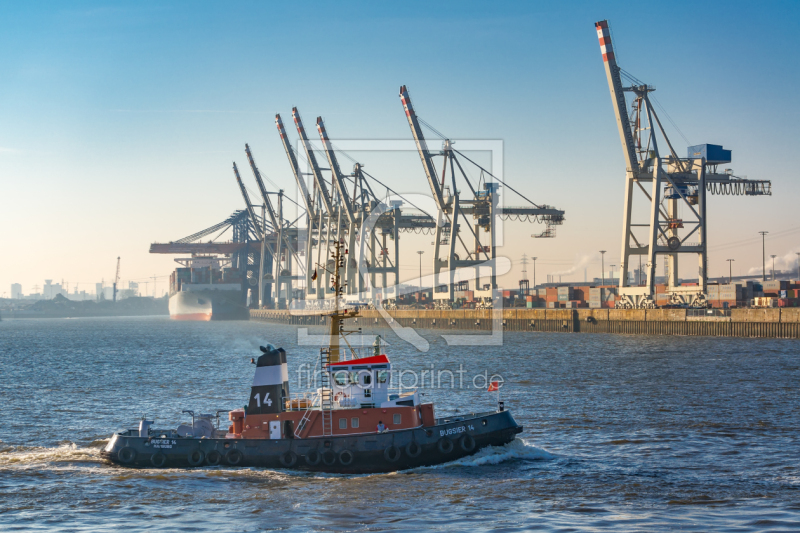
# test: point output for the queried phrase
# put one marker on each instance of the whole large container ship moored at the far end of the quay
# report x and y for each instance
(203, 290)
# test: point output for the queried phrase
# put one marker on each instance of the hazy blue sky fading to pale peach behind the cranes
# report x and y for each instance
(120, 120)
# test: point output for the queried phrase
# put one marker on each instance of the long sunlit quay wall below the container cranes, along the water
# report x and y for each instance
(770, 323)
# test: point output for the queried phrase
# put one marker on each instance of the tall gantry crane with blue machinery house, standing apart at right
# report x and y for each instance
(675, 189)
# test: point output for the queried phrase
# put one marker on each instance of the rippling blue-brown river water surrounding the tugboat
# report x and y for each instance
(621, 433)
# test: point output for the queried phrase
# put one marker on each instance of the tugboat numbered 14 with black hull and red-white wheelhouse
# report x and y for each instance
(352, 424)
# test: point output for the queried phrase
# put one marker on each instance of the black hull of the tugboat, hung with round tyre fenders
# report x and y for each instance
(447, 440)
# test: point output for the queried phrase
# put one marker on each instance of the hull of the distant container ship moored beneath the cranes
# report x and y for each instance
(207, 304)
